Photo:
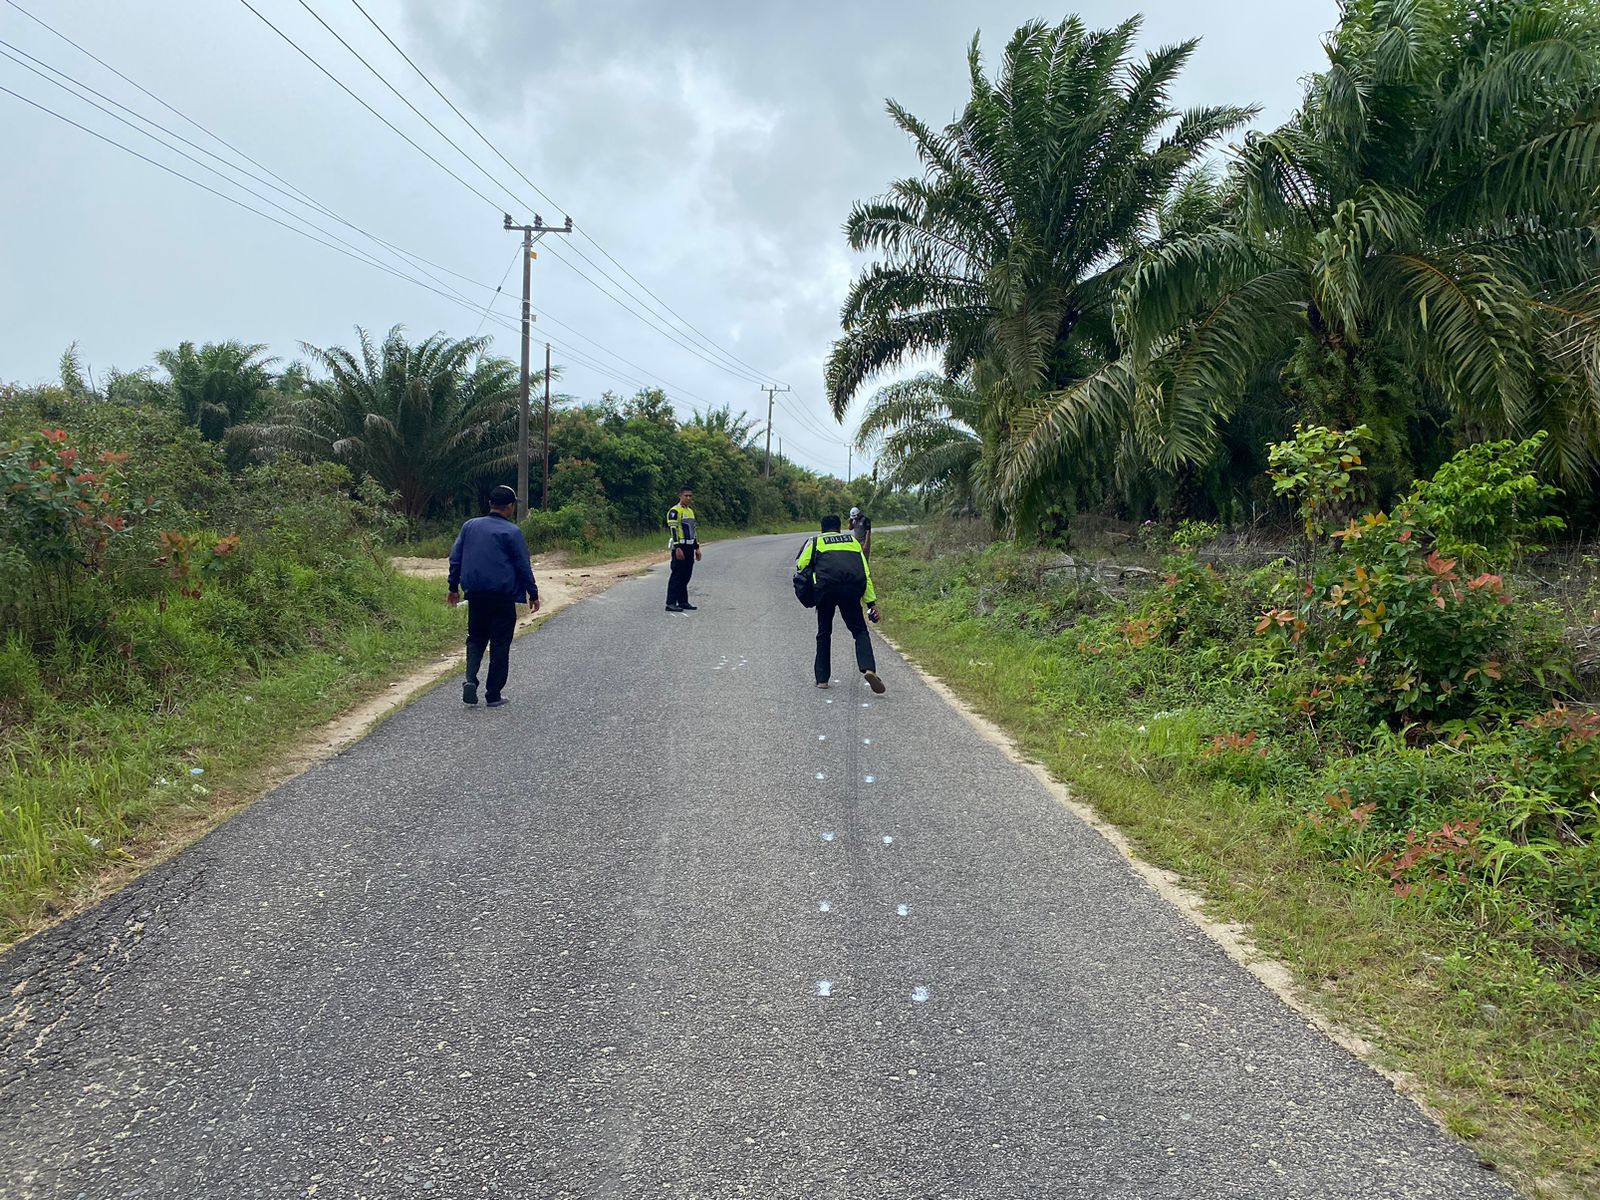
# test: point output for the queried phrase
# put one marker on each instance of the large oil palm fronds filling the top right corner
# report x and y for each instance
(1433, 204)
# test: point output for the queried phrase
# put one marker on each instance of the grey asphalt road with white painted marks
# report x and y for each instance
(578, 948)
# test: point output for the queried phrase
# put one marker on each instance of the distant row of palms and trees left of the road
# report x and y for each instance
(433, 426)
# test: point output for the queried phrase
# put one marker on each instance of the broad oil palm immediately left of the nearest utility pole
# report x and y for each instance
(423, 420)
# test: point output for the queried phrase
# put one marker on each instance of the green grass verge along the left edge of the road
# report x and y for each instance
(90, 788)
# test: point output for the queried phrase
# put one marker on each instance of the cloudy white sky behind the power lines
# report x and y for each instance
(711, 148)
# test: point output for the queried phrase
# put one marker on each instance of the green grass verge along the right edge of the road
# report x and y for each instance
(1502, 1042)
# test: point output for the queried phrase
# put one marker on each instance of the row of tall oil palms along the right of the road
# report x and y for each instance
(1126, 319)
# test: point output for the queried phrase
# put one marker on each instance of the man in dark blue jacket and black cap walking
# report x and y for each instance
(490, 559)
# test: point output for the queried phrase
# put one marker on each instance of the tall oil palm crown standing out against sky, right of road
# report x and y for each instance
(1004, 258)
